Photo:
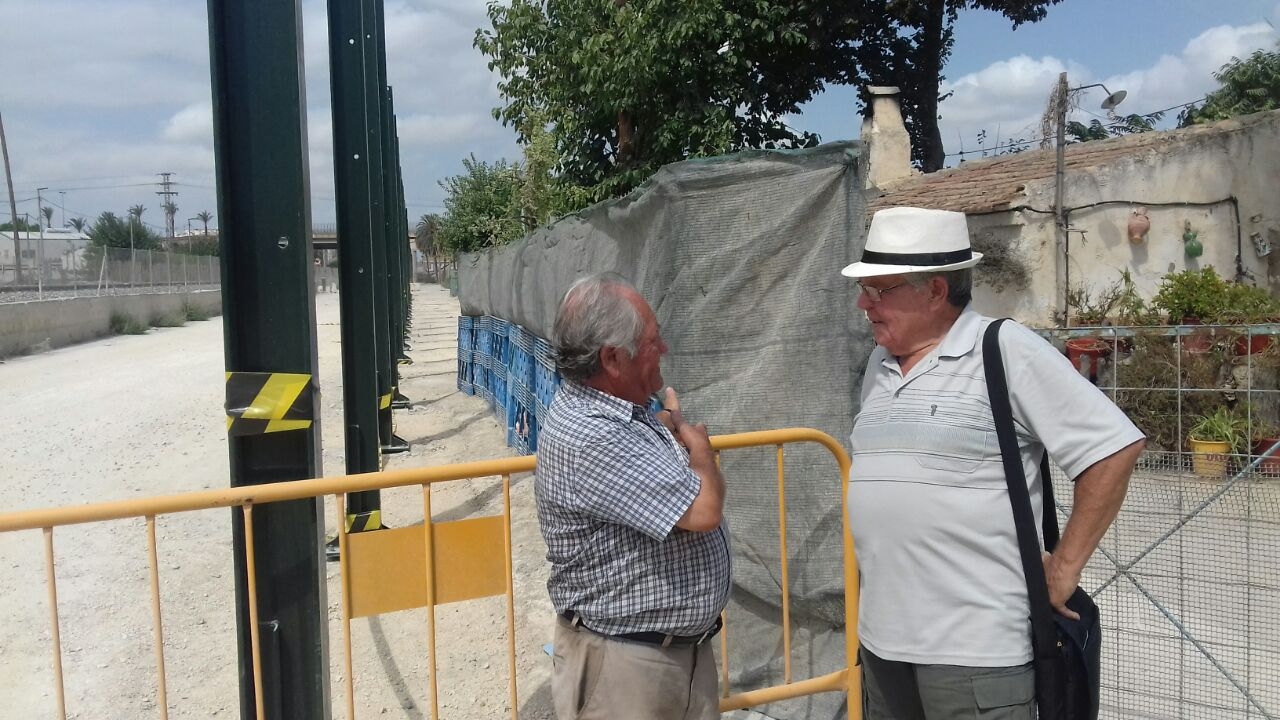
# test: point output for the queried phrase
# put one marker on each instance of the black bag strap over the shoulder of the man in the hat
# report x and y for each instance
(1044, 632)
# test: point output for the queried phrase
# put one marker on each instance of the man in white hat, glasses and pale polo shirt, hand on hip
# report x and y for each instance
(944, 608)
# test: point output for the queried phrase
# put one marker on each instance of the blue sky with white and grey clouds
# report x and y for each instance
(100, 97)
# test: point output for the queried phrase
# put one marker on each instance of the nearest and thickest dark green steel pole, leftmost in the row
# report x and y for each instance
(269, 327)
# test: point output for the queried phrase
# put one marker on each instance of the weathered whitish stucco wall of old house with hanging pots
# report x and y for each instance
(1192, 179)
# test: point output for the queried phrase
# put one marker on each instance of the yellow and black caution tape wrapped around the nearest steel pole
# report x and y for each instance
(268, 403)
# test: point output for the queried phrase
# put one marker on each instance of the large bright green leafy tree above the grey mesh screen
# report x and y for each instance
(629, 86)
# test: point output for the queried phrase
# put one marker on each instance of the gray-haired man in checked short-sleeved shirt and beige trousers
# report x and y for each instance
(630, 507)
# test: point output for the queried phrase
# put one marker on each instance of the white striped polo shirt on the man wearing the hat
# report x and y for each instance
(929, 505)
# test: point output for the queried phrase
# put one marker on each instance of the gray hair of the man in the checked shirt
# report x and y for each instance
(595, 315)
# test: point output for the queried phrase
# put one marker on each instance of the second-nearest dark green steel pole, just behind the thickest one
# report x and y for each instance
(353, 183)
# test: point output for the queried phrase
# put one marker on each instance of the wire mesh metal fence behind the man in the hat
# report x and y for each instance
(1188, 578)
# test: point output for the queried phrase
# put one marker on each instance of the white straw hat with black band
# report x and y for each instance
(915, 240)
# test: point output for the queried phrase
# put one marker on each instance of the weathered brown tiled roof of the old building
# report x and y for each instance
(999, 184)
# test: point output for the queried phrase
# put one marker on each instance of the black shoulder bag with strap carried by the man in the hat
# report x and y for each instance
(1067, 653)
